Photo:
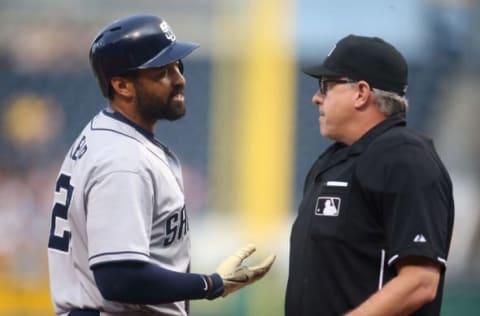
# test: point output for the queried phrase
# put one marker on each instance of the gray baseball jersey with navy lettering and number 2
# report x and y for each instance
(119, 196)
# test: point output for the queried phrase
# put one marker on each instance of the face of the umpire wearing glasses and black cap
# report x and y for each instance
(335, 107)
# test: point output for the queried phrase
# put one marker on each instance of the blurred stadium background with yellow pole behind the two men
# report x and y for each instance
(250, 134)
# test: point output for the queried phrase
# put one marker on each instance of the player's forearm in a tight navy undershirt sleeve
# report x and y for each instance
(145, 283)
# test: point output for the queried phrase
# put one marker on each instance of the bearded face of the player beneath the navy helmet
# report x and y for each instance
(159, 93)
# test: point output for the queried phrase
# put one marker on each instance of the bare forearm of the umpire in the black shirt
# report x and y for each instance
(406, 293)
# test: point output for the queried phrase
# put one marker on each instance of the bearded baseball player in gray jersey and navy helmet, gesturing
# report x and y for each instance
(119, 241)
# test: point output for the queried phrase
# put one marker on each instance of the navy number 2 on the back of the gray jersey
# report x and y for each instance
(60, 240)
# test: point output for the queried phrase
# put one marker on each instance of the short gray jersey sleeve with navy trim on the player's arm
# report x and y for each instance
(119, 217)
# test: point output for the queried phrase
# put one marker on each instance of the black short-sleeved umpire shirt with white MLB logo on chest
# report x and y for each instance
(385, 197)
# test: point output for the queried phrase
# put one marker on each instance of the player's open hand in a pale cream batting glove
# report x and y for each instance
(235, 276)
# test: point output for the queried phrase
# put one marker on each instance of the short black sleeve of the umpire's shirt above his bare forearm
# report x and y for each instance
(415, 204)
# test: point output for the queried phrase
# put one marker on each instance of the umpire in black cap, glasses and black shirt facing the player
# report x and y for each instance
(374, 226)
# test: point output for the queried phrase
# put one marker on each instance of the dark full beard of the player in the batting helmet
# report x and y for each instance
(152, 107)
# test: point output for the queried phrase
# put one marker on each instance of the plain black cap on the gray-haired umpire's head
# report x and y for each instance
(365, 58)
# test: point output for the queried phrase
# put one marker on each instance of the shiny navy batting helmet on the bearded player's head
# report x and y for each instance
(134, 42)
